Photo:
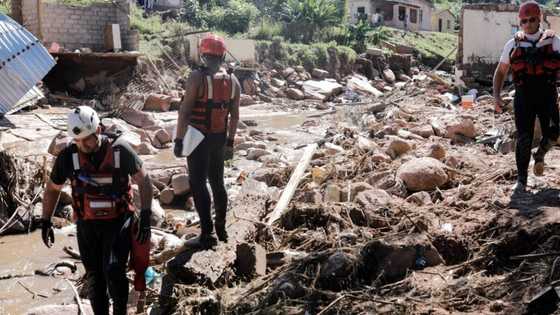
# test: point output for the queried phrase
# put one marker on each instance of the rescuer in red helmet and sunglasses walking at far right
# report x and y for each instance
(534, 58)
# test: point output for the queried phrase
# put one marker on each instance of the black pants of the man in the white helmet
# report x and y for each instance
(104, 249)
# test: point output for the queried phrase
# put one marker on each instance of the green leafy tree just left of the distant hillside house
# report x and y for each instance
(304, 18)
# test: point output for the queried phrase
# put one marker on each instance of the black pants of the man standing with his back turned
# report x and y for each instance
(207, 162)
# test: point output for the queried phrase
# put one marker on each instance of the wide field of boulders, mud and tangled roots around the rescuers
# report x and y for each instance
(404, 198)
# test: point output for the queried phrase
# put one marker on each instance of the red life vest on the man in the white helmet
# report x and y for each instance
(103, 193)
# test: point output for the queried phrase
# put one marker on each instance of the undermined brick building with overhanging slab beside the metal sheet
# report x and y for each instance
(94, 46)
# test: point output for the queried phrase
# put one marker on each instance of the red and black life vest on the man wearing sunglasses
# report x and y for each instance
(534, 60)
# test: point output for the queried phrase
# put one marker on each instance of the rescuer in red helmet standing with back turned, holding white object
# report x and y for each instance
(211, 105)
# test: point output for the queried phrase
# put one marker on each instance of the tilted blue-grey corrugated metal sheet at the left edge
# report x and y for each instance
(24, 61)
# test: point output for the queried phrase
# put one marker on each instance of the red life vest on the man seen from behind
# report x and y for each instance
(211, 110)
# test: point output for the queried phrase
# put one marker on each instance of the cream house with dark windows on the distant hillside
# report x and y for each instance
(413, 15)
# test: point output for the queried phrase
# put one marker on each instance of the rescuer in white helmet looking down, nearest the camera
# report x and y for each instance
(100, 172)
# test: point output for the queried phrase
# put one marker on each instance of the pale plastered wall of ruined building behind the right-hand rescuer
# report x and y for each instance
(479, 50)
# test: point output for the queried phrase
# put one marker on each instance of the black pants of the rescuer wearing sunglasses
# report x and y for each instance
(531, 101)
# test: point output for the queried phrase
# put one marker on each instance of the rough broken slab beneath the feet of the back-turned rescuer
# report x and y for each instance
(206, 267)
